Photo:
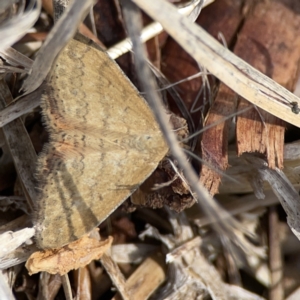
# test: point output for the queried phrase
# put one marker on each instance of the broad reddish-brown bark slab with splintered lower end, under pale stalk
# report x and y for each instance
(276, 54)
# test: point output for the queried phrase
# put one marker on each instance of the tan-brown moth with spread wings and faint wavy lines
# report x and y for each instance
(104, 142)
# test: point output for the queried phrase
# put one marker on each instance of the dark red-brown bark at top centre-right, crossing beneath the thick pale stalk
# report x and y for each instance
(178, 64)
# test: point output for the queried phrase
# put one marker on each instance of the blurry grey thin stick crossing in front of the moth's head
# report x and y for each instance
(209, 205)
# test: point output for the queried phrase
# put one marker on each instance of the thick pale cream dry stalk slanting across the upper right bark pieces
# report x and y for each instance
(230, 69)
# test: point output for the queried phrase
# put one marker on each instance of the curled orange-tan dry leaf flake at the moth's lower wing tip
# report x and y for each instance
(73, 256)
